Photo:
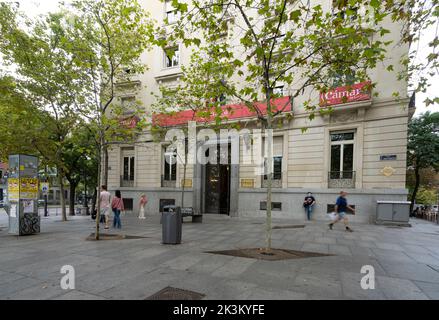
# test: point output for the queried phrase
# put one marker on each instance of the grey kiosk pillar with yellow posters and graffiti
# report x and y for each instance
(23, 195)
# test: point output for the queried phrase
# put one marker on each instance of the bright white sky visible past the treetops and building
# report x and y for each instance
(36, 7)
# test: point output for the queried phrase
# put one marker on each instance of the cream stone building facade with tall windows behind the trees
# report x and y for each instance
(360, 147)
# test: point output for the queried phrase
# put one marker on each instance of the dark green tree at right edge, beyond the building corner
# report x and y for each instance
(422, 147)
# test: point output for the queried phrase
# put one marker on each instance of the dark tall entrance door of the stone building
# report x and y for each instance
(217, 186)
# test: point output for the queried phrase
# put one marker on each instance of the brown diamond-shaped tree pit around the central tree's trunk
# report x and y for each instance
(272, 255)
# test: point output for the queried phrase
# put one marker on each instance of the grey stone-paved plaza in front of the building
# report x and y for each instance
(406, 261)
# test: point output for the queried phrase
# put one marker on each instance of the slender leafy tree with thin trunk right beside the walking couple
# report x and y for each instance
(106, 40)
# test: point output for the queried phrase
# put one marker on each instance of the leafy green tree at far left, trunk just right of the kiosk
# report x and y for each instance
(48, 79)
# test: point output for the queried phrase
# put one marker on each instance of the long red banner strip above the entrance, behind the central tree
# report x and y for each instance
(231, 111)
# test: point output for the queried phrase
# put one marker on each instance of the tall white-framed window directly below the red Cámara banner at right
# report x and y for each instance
(342, 155)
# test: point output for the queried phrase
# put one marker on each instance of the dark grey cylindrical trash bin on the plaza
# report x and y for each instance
(171, 225)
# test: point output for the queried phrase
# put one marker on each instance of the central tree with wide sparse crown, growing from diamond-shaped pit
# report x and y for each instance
(258, 44)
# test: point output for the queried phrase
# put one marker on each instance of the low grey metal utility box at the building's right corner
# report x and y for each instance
(393, 213)
